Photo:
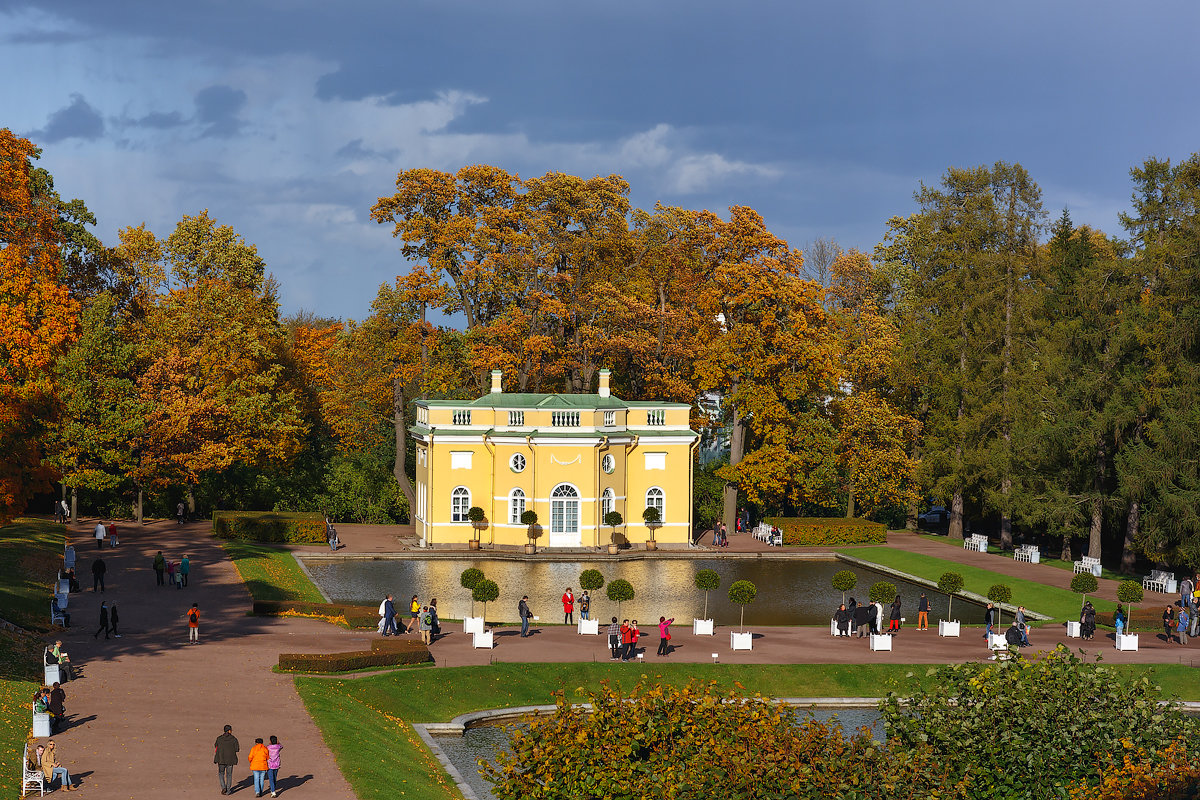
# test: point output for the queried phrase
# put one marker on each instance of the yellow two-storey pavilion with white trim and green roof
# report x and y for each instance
(572, 459)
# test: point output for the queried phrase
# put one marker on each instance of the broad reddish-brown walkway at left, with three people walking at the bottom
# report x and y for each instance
(148, 707)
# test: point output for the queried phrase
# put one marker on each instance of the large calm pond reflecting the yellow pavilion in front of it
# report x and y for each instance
(790, 592)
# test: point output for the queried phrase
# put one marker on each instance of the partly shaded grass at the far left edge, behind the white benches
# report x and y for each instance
(33, 554)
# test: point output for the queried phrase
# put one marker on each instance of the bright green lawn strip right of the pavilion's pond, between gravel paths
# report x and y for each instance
(1059, 604)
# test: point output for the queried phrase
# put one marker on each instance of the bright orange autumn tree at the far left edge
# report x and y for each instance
(39, 321)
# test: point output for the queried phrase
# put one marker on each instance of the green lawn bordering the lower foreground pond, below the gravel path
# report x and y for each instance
(367, 723)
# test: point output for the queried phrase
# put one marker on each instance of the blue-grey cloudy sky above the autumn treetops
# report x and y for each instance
(287, 119)
